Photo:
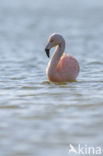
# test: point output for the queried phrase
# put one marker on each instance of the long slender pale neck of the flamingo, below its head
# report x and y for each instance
(56, 57)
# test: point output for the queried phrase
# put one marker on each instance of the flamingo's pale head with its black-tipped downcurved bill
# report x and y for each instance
(53, 41)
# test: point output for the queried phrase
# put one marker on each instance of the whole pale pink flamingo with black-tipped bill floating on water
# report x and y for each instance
(62, 67)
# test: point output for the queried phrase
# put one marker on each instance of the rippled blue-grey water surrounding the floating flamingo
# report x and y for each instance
(39, 118)
